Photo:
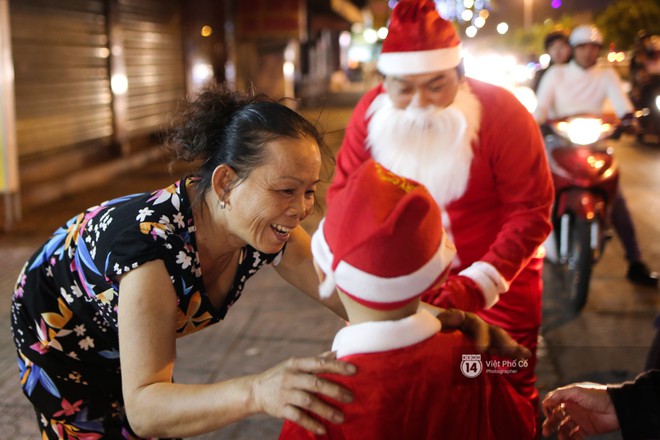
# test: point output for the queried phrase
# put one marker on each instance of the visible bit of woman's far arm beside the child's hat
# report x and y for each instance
(297, 268)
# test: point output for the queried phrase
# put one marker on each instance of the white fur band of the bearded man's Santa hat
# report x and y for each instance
(416, 62)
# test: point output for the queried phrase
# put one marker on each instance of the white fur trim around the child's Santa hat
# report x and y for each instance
(366, 286)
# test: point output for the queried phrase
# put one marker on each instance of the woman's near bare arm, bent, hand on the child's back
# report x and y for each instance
(156, 407)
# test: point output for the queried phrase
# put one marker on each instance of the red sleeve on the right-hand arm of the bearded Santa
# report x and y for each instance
(521, 177)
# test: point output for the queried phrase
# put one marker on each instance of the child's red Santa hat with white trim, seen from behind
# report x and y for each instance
(382, 241)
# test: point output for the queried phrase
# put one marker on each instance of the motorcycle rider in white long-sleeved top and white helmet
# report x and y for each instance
(581, 86)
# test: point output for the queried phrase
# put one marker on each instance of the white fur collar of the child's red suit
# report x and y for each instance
(378, 336)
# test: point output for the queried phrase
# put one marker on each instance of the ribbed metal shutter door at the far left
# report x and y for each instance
(62, 87)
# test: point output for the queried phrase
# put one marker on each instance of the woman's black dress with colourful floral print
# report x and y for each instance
(64, 307)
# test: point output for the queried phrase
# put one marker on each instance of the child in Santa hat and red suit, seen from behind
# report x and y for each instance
(380, 247)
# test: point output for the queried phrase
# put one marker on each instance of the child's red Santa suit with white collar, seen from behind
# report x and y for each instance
(409, 385)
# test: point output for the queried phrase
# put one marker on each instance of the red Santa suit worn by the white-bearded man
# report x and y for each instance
(498, 217)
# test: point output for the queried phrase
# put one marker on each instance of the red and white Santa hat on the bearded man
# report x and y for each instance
(418, 41)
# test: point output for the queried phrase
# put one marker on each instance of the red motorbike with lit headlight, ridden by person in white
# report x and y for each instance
(586, 176)
